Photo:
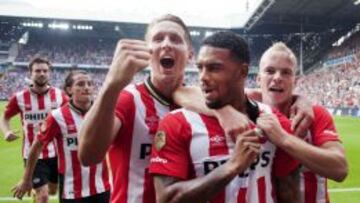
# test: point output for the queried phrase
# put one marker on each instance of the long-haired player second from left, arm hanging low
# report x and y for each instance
(78, 184)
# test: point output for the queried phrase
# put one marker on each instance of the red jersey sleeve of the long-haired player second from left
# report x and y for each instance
(49, 130)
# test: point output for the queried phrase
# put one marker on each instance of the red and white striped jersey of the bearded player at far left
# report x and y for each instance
(33, 109)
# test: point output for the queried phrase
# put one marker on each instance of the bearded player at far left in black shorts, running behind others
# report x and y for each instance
(34, 103)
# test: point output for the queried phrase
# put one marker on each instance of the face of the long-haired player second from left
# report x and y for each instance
(82, 89)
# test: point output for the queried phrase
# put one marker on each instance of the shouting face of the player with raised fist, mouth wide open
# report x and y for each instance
(170, 51)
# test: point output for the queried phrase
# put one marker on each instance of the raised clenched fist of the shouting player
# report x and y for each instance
(130, 57)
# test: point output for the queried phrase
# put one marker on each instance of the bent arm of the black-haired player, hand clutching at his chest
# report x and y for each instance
(202, 189)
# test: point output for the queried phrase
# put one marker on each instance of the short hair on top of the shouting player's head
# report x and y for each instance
(174, 19)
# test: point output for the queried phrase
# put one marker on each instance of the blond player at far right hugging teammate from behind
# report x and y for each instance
(325, 157)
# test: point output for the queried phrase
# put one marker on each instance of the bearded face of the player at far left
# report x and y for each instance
(40, 74)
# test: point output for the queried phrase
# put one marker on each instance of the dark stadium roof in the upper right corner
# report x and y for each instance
(290, 16)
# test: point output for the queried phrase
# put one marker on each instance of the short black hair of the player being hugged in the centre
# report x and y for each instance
(231, 41)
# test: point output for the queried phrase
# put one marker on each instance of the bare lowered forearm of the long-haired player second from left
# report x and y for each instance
(34, 154)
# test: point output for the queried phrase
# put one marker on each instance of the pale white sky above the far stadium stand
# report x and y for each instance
(201, 13)
